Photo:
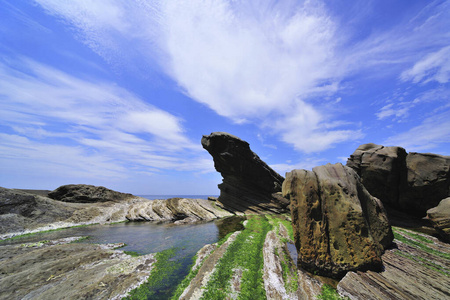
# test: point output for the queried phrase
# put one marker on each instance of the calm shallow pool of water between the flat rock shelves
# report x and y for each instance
(147, 237)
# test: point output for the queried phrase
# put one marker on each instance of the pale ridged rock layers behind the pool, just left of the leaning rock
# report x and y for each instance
(178, 210)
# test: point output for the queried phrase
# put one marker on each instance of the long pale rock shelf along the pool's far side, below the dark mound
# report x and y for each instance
(21, 212)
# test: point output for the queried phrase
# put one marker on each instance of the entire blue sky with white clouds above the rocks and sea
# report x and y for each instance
(119, 93)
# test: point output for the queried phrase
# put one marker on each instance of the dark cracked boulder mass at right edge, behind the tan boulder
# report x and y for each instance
(413, 182)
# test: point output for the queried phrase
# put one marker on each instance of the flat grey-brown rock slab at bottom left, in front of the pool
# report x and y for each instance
(64, 270)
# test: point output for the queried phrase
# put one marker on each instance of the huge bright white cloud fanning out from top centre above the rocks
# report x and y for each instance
(264, 60)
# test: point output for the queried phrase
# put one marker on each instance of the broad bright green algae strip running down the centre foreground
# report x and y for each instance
(244, 253)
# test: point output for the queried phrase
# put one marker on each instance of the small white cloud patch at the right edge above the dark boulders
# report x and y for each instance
(433, 67)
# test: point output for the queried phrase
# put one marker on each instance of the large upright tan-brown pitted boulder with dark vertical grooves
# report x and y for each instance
(338, 225)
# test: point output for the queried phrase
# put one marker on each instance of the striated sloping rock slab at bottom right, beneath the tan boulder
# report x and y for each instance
(411, 271)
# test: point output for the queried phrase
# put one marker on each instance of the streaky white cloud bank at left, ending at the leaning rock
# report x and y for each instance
(92, 127)
